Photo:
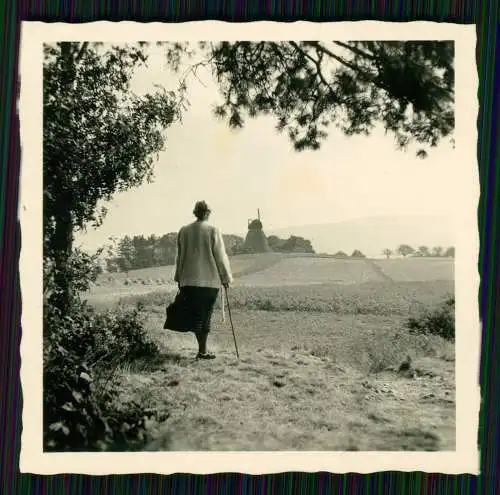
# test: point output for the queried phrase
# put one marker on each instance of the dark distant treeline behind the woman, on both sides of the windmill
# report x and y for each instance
(135, 252)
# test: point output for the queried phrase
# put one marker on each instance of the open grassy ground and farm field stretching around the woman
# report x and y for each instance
(320, 342)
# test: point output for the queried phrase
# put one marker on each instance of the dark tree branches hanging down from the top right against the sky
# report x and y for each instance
(406, 86)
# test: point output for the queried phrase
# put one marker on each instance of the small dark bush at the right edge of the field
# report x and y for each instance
(439, 321)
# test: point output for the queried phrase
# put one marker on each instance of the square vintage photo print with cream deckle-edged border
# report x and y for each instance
(251, 244)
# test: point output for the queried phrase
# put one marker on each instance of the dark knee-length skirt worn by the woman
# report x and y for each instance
(195, 306)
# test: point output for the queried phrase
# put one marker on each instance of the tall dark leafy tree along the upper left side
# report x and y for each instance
(99, 138)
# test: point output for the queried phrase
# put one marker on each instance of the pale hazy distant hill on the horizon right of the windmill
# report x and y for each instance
(373, 234)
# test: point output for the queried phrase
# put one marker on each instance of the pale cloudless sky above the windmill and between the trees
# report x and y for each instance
(237, 172)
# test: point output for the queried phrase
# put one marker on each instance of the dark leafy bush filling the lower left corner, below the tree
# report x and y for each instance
(83, 350)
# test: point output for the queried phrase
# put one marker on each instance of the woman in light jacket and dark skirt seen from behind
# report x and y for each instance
(202, 265)
